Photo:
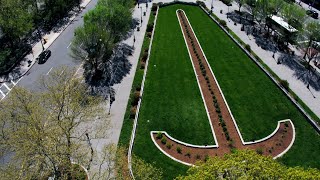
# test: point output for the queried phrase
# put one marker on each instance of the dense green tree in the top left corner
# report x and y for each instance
(15, 20)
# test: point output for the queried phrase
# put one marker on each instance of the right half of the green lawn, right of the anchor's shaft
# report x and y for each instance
(255, 101)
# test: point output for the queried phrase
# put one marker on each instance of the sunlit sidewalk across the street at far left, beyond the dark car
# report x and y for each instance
(24, 66)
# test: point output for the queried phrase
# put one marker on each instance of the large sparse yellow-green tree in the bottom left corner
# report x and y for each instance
(43, 133)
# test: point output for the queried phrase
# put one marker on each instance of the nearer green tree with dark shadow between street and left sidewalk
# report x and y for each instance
(94, 45)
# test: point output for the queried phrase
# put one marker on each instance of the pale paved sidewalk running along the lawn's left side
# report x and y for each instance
(122, 90)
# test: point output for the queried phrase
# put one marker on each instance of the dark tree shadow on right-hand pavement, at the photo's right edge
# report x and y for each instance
(307, 76)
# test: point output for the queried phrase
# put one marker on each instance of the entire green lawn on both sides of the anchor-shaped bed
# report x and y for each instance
(172, 101)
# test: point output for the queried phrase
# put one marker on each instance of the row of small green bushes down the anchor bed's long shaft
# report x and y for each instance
(204, 74)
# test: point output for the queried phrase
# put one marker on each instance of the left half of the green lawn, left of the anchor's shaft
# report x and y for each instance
(171, 100)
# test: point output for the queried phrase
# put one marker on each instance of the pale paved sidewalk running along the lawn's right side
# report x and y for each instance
(310, 97)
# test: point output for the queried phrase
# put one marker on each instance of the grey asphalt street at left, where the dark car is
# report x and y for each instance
(60, 53)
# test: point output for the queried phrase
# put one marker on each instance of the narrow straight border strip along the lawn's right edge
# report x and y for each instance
(311, 121)
